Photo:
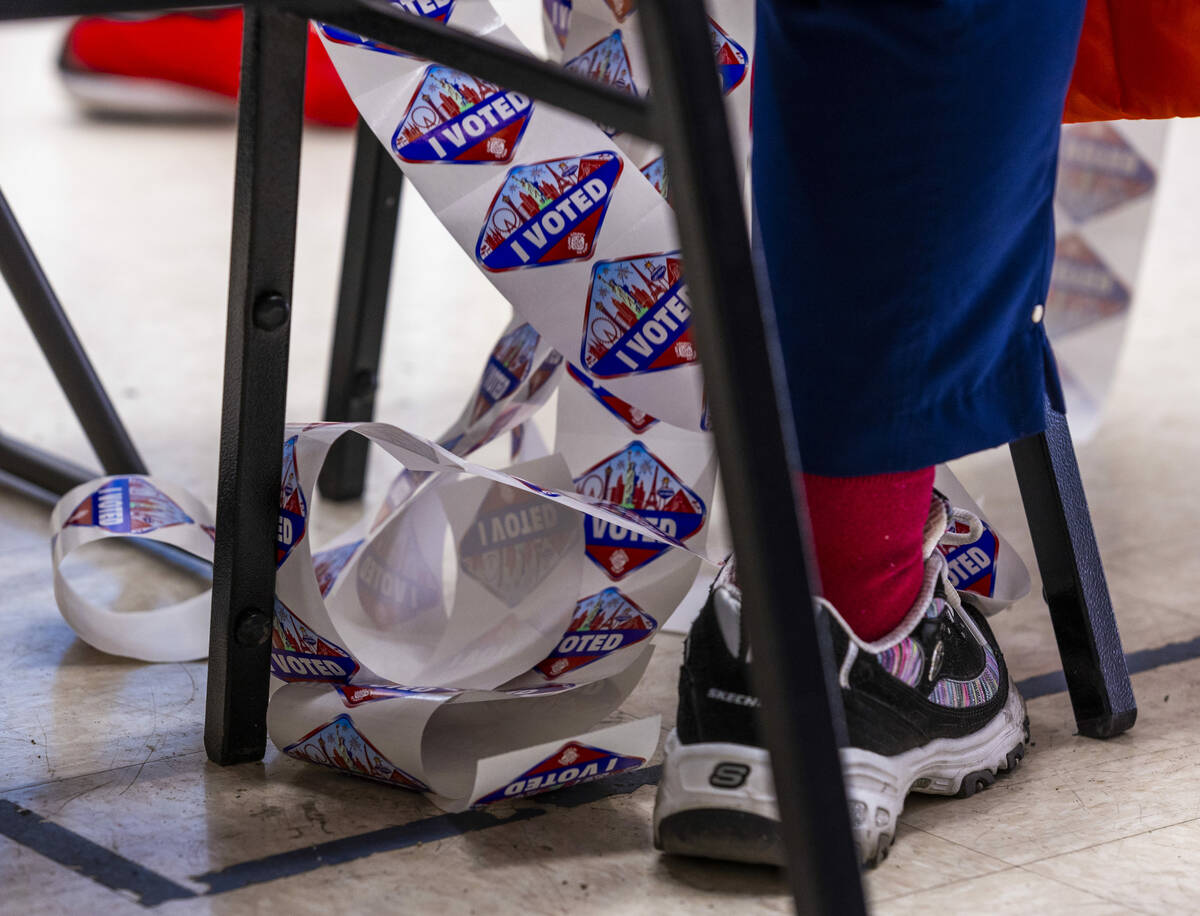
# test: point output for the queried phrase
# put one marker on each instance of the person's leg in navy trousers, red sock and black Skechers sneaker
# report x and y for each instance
(904, 169)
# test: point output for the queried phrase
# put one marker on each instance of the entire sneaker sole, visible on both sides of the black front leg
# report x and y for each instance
(718, 801)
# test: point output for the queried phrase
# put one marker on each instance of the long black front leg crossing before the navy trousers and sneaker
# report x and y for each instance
(757, 444)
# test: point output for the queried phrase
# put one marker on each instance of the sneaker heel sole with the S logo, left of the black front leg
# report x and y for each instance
(717, 801)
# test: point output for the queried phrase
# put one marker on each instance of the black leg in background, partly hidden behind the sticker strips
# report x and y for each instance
(362, 308)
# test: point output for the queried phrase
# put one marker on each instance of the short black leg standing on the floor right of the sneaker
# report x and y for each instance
(1073, 580)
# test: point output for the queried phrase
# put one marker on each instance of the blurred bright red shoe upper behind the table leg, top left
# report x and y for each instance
(202, 51)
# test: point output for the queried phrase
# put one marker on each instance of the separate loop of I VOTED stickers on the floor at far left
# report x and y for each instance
(134, 507)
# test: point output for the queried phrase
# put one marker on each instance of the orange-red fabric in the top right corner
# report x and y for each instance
(1137, 59)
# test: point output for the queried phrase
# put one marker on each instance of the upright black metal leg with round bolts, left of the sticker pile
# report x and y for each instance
(268, 169)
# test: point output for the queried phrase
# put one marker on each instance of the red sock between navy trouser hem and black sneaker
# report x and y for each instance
(868, 535)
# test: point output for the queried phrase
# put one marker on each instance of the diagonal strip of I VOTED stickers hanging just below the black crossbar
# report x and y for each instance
(549, 207)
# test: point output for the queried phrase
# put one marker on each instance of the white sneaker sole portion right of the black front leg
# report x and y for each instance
(877, 786)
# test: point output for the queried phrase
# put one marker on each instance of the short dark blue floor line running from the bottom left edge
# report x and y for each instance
(91, 860)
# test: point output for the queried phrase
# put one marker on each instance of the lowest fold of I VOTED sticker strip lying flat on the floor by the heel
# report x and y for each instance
(458, 746)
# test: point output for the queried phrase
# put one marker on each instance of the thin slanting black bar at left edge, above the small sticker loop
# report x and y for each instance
(64, 351)
